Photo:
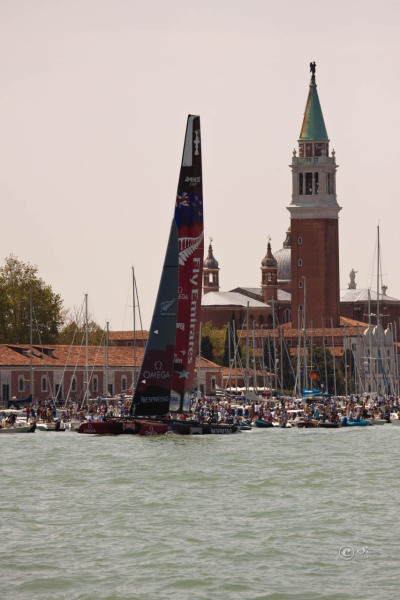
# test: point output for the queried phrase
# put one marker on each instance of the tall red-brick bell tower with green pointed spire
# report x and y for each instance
(314, 214)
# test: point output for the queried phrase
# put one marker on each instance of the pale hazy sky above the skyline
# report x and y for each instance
(94, 100)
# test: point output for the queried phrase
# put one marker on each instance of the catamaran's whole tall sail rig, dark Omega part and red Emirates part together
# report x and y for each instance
(170, 354)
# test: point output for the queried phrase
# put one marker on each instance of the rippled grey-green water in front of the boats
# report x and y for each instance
(268, 514)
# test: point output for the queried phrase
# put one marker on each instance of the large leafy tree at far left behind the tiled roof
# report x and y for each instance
(17, 281)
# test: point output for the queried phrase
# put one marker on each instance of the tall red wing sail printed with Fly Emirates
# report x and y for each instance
(189, 223)
